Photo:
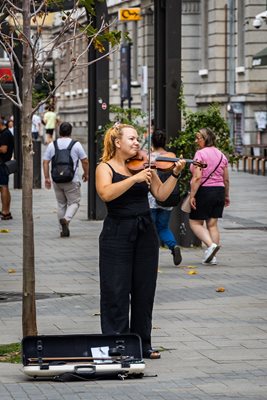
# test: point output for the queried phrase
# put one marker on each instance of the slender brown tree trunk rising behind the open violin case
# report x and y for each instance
(28, 299)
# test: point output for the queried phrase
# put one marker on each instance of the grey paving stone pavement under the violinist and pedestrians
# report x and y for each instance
(214, 345)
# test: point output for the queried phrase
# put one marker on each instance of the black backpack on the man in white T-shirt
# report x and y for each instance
(62, 170)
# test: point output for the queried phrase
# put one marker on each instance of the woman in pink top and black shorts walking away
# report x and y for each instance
(209, 193)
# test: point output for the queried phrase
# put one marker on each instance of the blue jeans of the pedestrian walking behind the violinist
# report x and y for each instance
(161, 219)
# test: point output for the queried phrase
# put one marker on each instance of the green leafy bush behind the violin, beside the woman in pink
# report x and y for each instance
(185, 145)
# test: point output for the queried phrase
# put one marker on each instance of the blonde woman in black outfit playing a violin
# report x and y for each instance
(128, 243)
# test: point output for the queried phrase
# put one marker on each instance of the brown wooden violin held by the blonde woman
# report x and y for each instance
(165, 162)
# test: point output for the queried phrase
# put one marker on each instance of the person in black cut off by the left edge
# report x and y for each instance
(6, 151)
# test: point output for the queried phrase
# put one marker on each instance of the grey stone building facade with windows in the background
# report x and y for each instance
(219, 42)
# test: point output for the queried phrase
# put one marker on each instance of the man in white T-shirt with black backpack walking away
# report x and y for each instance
(64, 155)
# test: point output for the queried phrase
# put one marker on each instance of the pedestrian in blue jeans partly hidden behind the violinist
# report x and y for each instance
(161, 214)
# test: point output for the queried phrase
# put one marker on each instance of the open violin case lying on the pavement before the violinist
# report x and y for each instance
(82, 356)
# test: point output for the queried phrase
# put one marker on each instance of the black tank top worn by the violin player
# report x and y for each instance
(134, 202)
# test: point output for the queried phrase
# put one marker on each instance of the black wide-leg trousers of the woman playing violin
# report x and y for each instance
(128, 257)
